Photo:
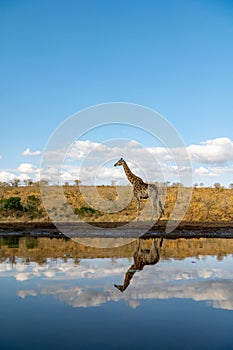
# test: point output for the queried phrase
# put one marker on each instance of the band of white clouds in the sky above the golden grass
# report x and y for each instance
(93, 162)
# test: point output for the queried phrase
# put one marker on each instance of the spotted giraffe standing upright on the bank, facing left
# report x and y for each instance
(141, 189)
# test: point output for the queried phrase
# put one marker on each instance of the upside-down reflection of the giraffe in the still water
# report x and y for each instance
(141, 258)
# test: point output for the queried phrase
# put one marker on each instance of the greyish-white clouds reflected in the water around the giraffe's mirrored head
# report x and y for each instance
(209, 281)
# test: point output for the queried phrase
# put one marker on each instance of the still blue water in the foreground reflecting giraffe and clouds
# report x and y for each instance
(57, 293)
